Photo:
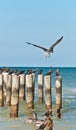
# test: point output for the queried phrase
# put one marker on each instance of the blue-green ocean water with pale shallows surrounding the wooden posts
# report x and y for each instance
(68, 118)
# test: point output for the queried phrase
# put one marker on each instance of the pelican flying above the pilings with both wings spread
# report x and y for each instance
(47, 51)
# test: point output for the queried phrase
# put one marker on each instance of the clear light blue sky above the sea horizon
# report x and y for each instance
(41, 22)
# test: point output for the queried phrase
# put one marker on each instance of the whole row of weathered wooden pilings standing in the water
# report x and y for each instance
(22, 87)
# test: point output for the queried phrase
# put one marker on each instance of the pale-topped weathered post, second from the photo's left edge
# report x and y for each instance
(5, 80)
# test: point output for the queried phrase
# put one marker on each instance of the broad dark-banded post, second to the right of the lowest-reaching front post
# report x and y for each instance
(29, 91)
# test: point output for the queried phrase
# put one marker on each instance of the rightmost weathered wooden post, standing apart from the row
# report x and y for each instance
(58, 85)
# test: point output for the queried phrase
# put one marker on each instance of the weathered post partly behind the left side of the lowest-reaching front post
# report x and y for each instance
(8, 90)
